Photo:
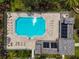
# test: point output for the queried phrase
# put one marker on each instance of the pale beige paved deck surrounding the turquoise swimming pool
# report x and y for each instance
(18, 42)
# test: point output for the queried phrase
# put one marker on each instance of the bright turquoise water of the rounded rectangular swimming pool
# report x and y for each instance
(30, 26)
